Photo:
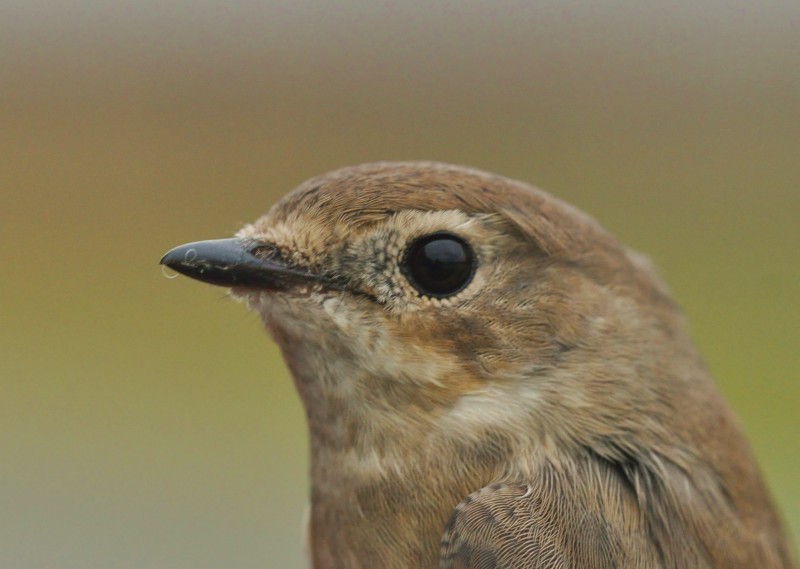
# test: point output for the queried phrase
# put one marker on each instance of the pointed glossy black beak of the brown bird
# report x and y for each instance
(235, 262)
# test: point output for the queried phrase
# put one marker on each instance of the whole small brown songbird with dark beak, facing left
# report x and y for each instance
(490, 381)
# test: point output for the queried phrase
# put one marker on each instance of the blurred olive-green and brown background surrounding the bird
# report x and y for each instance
(149, 423)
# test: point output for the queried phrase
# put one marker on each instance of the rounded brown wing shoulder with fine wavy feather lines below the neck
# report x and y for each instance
(546, 524)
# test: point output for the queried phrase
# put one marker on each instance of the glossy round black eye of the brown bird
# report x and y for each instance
(439, 264)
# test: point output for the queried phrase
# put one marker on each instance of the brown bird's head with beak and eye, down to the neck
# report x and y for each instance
(424, 299)
